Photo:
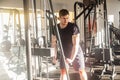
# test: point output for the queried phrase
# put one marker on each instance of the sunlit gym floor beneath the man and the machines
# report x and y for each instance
(13, 67)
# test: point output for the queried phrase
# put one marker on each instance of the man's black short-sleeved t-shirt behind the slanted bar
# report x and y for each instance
(66, 37)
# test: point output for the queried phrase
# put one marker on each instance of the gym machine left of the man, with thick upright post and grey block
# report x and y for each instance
(38, 55)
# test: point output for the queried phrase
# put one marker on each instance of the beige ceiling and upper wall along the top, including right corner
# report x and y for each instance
(113, 6)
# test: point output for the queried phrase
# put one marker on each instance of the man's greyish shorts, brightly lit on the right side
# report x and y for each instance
(78, 63)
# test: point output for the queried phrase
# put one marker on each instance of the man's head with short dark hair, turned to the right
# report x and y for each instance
(64, 16)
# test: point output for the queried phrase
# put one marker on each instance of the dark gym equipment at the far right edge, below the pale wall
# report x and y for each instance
(115, 39)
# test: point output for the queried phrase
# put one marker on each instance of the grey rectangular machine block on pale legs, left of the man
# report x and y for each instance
(42, 53)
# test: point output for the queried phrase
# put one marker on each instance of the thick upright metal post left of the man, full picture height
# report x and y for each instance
(27, 39)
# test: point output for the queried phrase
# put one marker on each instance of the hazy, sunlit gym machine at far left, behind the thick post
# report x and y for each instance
(12, 44)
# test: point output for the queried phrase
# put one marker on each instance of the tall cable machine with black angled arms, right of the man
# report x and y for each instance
(104, 48)
